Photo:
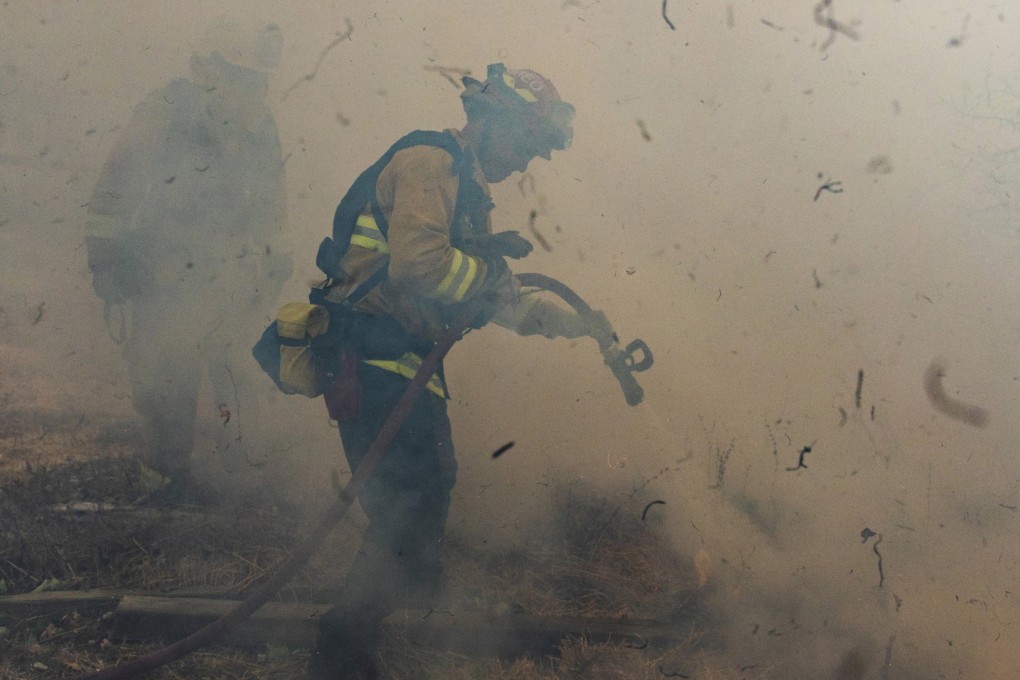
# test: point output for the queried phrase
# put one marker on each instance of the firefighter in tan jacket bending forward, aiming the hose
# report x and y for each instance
(413, 244)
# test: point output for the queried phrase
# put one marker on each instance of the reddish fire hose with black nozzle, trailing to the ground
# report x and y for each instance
(622, 362)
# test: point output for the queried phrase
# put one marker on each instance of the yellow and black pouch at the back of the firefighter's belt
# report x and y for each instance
(286, 350)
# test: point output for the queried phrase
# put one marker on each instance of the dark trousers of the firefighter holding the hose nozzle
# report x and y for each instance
(406, 500)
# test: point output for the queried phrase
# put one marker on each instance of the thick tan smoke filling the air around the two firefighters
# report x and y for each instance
(762, 295)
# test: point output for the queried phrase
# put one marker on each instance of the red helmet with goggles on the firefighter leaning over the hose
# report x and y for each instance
(530, 98)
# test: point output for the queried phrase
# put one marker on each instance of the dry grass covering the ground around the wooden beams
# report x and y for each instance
(598, 564)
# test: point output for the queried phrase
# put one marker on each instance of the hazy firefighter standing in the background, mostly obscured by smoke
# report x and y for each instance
(186, 245)
